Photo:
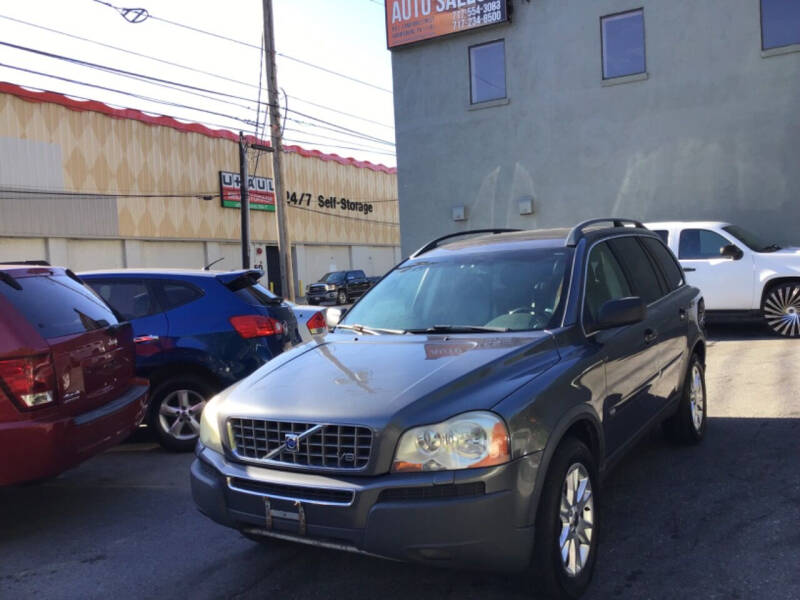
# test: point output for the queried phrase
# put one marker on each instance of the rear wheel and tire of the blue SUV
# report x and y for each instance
(175, 410)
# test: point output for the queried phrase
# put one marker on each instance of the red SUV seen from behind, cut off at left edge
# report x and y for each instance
(67, 384)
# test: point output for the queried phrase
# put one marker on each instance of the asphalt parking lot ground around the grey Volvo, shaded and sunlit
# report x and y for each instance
(719, 520)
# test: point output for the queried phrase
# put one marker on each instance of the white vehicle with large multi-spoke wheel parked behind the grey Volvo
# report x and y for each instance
(740, 275)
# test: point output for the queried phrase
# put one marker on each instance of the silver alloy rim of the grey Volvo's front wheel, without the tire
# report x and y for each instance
(576, 514)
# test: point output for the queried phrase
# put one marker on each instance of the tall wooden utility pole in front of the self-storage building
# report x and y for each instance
(287, 279)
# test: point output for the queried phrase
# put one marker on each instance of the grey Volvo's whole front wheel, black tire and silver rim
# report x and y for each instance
(565, 548)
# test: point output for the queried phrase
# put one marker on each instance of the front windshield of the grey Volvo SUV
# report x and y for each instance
(515, 291)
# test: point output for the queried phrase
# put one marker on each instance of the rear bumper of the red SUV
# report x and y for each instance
(45, 446)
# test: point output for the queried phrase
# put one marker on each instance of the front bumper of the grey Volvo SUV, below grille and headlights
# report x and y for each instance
(475, 518)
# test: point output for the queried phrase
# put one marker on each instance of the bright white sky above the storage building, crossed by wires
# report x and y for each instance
(346, 36)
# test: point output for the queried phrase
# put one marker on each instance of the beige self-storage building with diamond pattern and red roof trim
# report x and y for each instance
(89, 186)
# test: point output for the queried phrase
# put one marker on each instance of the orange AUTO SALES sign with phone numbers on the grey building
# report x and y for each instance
(409, 21)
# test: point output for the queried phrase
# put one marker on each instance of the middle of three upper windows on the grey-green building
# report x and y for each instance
(623, 44)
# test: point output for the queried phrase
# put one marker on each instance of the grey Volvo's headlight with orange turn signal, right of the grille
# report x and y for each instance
(470, 440)
